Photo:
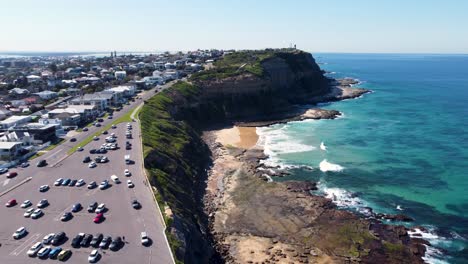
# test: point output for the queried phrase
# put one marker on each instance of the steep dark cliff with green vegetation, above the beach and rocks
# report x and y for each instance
(176, 157)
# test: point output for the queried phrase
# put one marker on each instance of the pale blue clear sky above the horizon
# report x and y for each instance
(360, 26)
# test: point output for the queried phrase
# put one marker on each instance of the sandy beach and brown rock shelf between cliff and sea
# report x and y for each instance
(255, 220)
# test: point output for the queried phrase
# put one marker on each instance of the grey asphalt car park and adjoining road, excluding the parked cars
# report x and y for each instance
(121, 218)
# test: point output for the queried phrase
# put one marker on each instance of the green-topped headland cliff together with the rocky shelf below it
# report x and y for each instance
(252, 87)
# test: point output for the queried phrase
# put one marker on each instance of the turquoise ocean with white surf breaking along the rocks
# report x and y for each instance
(401, 149)
